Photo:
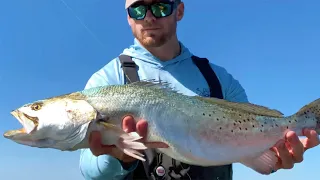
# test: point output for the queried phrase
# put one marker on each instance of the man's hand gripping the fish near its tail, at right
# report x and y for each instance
(291, 150)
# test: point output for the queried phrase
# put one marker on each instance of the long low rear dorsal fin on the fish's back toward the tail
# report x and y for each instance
(245, 107)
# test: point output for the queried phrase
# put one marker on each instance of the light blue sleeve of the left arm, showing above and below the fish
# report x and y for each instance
(101, 167)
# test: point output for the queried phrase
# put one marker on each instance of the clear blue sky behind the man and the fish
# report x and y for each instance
(270, 46)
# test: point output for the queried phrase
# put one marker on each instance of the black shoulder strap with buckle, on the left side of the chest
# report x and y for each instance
(129, 69)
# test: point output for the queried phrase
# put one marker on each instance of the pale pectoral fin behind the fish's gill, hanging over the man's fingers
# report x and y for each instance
(126, 142)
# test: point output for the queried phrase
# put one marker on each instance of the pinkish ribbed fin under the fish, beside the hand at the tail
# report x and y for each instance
(263, 164)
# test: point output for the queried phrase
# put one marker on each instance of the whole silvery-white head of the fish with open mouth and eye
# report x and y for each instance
(59, 122)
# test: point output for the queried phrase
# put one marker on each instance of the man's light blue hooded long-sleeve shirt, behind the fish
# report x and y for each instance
(180, 72)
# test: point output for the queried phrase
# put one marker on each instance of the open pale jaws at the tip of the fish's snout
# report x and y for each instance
(29, 124)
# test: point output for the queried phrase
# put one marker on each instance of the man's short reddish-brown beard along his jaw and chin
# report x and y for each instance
(154, 39)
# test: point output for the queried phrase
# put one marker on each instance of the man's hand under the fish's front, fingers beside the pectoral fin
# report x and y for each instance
(128, 125)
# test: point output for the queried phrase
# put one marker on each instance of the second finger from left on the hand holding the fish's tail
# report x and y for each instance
(295, 146)
